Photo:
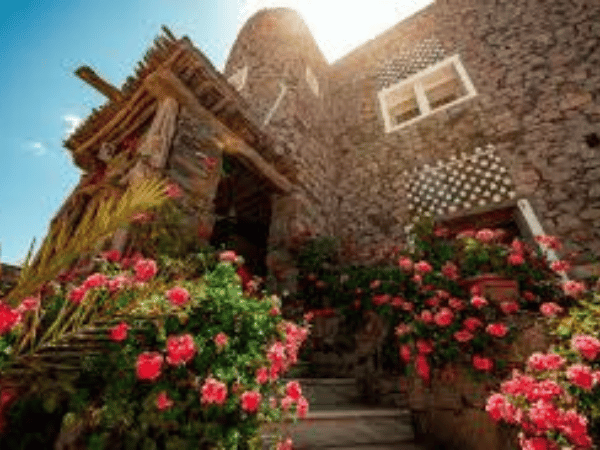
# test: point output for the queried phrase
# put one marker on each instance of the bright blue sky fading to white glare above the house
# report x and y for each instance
(42, 42)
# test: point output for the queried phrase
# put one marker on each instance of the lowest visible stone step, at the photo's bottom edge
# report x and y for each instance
(376, 428)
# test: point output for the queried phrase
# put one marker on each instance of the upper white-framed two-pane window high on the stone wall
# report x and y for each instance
(437, 87)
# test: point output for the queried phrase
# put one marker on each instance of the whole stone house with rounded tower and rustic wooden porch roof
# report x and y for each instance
(476, 112)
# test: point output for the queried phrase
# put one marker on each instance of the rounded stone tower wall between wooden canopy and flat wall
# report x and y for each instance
(277, 47)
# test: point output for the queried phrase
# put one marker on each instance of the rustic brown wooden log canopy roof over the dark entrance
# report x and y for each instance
(174, 73)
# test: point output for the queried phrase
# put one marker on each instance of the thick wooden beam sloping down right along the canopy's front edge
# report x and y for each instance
(163, 83)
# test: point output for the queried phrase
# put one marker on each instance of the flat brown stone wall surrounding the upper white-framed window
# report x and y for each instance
(535, 68)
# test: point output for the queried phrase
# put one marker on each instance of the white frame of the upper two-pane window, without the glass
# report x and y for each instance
(414, 83)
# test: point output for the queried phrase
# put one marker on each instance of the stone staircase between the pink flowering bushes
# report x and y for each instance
(340, 419)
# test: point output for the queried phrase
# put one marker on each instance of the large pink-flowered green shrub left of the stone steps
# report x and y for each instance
(187, 362)
